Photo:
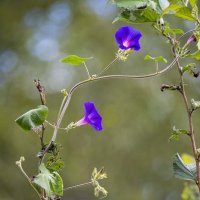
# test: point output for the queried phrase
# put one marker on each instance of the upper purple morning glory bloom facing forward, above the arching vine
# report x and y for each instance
(128, 38)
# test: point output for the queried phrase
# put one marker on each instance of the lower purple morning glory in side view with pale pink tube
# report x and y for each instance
(91, 117)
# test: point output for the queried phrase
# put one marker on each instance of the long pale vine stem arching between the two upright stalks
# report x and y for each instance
(67, 99)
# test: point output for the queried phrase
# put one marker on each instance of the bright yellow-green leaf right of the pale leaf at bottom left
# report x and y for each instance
(57, 184)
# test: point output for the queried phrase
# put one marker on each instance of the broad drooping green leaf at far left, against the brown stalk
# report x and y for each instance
(33, 118)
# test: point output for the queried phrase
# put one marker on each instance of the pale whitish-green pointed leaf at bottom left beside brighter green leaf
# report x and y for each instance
(44, 179)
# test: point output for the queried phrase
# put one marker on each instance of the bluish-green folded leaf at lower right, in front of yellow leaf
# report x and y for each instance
(183, 171)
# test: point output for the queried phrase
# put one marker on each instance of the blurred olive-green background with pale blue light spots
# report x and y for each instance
(137, 116)
